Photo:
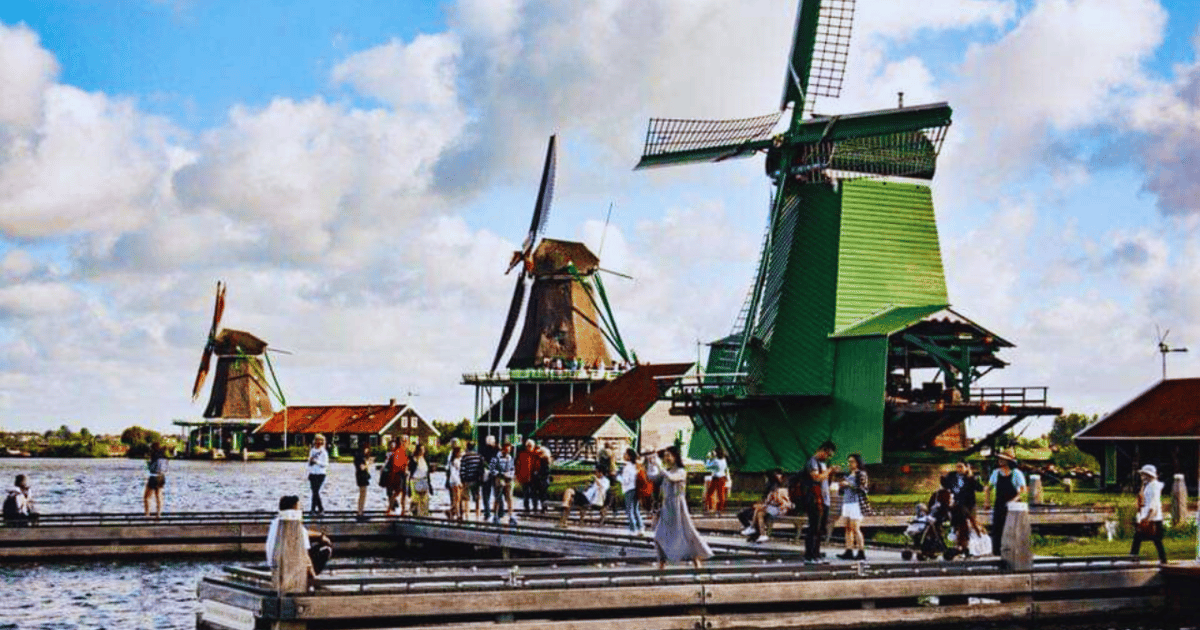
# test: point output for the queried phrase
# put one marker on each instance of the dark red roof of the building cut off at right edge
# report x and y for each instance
(1169, 410)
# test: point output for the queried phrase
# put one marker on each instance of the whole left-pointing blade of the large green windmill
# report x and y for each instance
(671, 142)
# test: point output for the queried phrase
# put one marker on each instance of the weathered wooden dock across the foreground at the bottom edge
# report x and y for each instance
(745, 593)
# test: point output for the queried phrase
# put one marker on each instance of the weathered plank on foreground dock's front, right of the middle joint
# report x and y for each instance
(871, 589)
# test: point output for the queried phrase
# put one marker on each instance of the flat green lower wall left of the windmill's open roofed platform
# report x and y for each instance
(859, 394)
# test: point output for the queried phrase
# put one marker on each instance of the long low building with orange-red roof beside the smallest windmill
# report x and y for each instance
(345, 427)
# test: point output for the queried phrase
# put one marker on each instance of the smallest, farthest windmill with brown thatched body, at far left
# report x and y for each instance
(239, 385)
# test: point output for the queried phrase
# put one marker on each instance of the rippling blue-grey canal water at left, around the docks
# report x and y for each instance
(161, 595)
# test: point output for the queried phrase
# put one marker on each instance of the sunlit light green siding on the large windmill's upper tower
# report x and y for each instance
(889, 250)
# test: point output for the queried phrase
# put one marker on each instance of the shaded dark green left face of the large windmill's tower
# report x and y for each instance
(800, 298)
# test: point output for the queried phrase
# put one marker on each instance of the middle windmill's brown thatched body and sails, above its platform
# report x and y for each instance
(565, 319)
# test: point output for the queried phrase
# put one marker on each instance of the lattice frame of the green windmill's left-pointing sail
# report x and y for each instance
(674, 136)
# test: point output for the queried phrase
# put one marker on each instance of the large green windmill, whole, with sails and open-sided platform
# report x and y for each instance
(847, 333)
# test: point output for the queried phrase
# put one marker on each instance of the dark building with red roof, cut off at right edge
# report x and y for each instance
(1160, 427)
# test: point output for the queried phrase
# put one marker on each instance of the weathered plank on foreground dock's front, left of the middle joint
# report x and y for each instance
(317, 607)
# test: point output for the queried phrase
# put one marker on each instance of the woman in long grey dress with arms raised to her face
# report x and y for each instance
(676, 538)
